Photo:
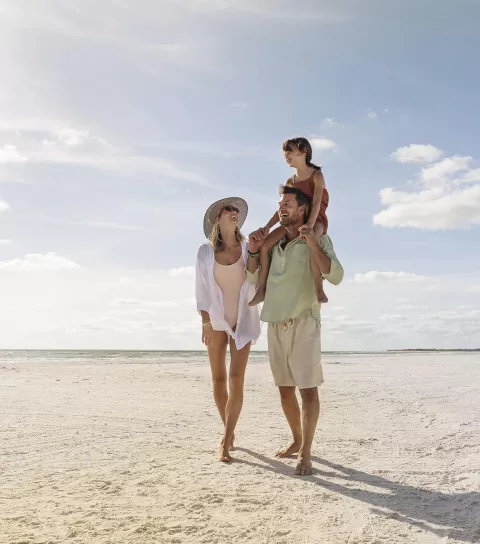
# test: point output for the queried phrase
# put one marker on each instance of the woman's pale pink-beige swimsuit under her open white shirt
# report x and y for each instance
(230, 279)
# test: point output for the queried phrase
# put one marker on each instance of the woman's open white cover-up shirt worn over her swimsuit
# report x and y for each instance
(210, 299)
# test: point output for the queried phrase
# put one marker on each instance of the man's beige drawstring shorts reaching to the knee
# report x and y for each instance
(295, 352)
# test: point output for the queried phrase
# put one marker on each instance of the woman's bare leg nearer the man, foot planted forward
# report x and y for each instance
(238, 365)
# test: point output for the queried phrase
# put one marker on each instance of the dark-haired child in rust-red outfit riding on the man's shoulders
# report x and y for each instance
(309, 179)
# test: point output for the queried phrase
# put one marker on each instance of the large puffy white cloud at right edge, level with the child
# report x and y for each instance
(442, 201)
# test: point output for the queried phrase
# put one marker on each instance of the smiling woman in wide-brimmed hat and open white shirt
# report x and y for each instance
(223, 295)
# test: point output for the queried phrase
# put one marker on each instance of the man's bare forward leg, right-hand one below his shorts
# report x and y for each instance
(310, 413)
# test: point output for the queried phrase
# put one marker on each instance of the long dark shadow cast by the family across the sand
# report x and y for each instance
(456, 515)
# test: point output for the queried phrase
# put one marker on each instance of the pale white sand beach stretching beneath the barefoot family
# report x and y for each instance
(118, 453)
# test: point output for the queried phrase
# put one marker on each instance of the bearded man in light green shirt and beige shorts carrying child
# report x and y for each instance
(293, 315)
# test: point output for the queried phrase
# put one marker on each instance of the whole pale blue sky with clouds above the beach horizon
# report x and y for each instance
(121, 122)
